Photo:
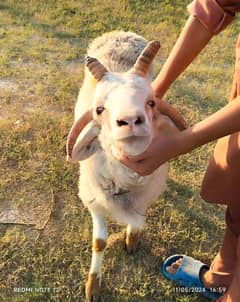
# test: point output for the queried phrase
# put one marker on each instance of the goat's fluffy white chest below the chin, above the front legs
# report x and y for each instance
(110, 189)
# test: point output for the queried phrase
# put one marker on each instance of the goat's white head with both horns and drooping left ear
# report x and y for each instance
(122, 111)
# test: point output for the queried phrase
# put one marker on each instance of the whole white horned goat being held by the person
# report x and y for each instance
(117, 107)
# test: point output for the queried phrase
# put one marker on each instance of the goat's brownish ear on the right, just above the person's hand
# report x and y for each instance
(167, 109)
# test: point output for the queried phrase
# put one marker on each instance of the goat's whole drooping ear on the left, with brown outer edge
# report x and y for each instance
(82, 139)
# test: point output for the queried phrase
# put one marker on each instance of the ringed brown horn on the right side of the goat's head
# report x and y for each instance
(145, 59)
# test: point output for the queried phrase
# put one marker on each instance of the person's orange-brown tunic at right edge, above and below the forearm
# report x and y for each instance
(220, 183)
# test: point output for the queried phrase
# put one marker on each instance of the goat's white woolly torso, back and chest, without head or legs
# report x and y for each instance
(105, 185)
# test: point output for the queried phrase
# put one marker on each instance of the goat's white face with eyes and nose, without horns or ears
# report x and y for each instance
(123, 107)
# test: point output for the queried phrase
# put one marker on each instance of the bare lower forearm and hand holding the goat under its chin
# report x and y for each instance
(166, 146)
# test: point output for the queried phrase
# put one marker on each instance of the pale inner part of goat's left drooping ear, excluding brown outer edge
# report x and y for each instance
(87, 142)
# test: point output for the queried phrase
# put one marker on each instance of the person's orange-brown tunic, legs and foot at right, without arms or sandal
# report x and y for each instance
(221, 185)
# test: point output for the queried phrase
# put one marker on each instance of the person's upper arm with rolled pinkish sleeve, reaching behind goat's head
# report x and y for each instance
(207, 18)
